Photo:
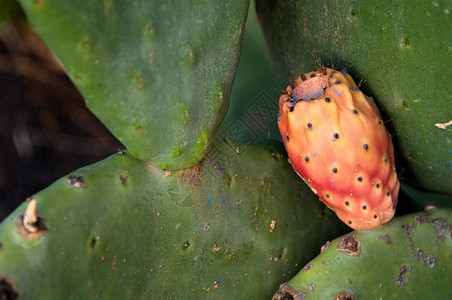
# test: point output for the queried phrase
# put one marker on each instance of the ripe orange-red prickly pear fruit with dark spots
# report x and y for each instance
(337, 142)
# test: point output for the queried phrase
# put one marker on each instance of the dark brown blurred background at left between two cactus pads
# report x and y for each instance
(46, 131)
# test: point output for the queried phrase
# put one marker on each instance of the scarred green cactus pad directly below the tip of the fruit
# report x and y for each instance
(406, 259)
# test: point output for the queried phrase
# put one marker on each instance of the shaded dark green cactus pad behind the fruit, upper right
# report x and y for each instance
(402, 51)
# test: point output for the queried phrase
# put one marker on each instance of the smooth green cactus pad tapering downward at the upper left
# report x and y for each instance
(158, 74)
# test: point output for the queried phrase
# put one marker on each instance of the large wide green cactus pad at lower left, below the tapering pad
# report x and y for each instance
(232, 227)
